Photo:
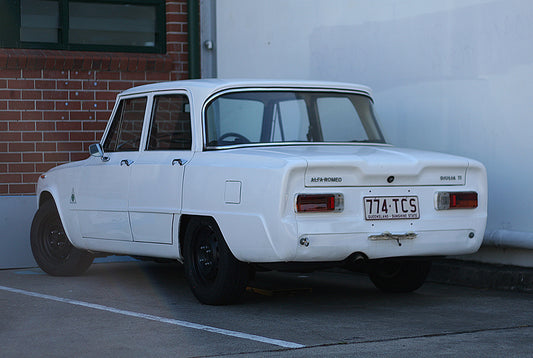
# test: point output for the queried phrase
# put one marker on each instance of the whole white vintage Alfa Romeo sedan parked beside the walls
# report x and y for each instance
(229, 177)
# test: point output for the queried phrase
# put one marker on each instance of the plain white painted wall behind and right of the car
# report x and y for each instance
(448, 75)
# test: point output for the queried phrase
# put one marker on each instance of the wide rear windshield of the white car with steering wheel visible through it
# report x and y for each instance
(257, 117)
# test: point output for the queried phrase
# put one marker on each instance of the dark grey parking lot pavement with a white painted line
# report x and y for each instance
(144, 309)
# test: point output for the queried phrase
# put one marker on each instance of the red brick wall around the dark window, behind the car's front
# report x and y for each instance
(53, 104)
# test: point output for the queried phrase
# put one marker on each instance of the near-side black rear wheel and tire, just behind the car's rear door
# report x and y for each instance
(215, 276)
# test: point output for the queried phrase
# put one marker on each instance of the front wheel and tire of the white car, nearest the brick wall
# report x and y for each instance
(51, 247)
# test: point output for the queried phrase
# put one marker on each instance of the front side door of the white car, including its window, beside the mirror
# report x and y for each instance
(102, 196)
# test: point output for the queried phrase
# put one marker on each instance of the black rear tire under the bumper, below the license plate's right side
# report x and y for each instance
(399, 276)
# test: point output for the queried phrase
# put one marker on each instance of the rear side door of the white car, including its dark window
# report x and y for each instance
(157, 174)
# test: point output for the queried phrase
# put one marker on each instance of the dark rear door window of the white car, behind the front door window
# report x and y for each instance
(171, 123)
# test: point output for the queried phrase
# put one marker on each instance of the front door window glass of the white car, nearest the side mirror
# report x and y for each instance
(126, 128)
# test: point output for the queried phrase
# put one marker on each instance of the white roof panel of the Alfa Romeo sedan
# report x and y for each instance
(207, 87)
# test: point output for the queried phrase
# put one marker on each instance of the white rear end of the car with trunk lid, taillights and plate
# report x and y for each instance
(384, 202)
